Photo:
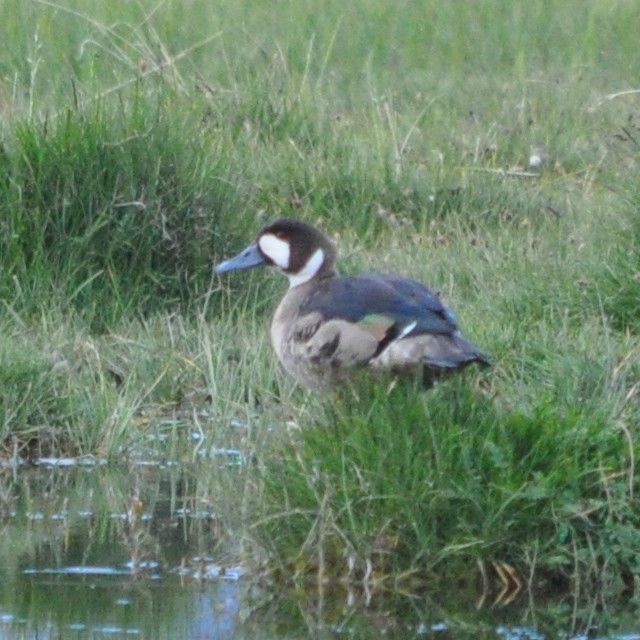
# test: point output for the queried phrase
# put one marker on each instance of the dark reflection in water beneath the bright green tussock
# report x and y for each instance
(439, 611)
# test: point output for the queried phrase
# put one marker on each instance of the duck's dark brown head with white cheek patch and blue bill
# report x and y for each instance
(296, 248)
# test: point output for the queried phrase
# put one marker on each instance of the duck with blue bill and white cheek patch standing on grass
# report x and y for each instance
(327, 326)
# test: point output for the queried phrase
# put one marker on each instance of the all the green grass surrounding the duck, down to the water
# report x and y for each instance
(140, 143)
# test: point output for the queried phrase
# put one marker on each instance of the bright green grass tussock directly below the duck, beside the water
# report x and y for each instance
(406, 487)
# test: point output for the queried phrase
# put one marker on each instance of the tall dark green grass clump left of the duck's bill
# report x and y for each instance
(101, 210)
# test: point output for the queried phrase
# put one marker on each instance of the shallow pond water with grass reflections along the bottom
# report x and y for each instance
(151, 552)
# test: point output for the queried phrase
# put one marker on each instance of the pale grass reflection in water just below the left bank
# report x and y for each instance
(120, 518)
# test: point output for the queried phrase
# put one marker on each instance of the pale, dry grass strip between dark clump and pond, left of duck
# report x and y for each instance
(168, 388)
